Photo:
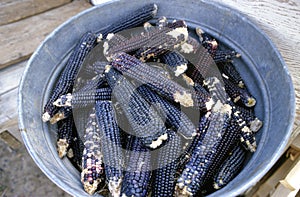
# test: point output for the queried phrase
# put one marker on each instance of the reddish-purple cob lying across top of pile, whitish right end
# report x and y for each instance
(160, 39)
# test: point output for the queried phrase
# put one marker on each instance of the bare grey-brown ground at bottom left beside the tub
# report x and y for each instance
(20, 176)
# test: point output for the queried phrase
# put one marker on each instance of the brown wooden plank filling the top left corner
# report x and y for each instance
(12, 11)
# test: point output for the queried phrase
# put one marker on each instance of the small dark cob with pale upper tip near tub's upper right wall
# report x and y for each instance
(207, 41)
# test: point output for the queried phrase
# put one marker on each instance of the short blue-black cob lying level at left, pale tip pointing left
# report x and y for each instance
(83, 98)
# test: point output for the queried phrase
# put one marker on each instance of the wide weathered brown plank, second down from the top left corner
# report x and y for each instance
(20, 39)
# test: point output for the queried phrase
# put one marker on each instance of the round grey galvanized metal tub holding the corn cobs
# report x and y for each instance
(261, 66)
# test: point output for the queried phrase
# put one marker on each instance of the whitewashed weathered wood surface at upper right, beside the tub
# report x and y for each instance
(280, 20)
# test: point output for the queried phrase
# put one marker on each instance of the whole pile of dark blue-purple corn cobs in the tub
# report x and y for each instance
(137, 140)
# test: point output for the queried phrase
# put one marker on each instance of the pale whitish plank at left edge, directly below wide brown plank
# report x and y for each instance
(10, 77)
